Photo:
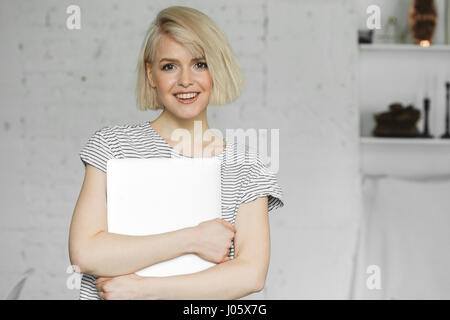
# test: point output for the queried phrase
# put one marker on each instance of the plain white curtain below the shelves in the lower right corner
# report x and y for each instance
(406, 234)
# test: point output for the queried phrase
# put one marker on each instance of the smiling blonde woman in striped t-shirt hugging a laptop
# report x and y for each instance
(185, 64)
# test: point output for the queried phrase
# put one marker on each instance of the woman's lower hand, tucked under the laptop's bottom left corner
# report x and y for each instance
(126, 287)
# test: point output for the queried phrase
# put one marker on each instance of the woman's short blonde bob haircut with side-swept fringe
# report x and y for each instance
(203, 38)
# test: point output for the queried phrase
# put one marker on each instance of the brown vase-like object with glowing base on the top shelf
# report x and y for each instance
(422, 21)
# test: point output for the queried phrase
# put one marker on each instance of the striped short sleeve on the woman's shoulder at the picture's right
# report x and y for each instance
(261, 182)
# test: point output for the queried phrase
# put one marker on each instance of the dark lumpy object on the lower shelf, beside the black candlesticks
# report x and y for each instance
(399, 121)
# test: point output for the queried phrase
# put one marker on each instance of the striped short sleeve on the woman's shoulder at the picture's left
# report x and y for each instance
(97, 151)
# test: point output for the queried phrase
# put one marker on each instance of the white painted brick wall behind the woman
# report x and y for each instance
(59, 86)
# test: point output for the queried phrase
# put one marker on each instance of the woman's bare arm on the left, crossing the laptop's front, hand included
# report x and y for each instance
(95, 251)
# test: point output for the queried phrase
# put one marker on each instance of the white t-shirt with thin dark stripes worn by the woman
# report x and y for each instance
(244, 177)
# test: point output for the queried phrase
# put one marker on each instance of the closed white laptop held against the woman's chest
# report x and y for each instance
(157, 195)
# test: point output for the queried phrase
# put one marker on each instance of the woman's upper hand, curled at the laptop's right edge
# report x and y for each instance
(213, 240)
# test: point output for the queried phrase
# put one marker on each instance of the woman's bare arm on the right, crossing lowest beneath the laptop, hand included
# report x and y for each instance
(233, 279)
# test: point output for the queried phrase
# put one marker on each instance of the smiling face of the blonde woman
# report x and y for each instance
(183, 84)
